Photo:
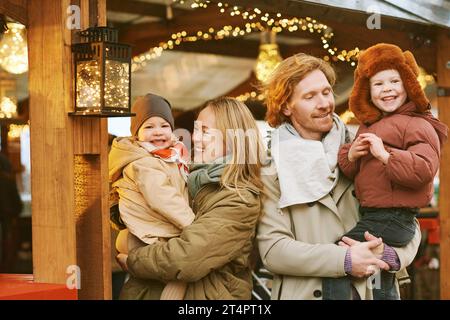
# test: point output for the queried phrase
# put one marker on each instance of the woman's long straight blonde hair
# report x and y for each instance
(243, 142)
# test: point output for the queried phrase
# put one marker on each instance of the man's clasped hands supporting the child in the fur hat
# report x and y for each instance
(364, 262)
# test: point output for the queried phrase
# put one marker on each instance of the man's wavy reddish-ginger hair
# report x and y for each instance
(279, 88)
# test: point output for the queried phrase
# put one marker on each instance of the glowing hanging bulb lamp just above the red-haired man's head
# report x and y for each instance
(269, 57)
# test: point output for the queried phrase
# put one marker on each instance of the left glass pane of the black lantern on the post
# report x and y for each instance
(88, 84)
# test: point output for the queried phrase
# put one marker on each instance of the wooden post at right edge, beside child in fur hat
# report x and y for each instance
(443, 81)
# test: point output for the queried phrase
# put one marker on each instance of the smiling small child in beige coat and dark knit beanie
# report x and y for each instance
(149, 172)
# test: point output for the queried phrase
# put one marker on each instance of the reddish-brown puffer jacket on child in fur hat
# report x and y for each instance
(413, 141)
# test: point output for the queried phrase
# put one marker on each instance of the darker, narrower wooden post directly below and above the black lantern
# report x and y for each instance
(92, 188)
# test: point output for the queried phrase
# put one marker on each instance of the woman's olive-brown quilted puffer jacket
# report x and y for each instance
(212, 254)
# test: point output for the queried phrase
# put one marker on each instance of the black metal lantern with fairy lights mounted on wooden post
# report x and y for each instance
(102, 74)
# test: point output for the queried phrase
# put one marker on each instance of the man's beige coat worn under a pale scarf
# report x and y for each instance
(297, 242)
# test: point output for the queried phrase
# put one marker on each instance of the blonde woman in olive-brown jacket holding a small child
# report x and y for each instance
(211, 254)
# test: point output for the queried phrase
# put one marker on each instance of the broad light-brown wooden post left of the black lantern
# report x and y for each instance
(50, 83)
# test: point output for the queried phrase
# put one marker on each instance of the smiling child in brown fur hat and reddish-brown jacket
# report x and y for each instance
(394, 157)
